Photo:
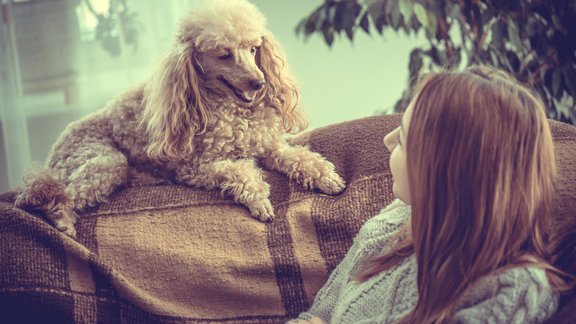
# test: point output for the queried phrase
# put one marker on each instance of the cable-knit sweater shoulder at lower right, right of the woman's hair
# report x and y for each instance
(517, 295)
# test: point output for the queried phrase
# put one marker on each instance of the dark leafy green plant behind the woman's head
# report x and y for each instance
(535, 40)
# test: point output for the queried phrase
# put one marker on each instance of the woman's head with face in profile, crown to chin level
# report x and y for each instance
(469, 131)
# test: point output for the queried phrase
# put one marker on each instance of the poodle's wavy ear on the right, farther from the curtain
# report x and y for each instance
(281, 90)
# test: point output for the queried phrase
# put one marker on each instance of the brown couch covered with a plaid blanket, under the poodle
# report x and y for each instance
(173, 254)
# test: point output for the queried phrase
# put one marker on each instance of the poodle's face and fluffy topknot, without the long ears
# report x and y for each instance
(227, 42)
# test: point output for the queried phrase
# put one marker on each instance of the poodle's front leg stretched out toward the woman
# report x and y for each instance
(306, 167)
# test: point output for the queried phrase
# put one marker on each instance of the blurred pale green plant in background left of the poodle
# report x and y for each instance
(118, 25)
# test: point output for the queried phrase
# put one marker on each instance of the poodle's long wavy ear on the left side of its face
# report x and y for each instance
(173, 106)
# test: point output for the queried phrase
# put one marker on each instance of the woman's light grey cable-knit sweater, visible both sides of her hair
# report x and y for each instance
(516, 295)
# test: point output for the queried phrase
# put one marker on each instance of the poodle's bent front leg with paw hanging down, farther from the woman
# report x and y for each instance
(240, 178)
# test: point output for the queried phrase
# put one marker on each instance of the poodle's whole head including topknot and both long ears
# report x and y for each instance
(222, 50)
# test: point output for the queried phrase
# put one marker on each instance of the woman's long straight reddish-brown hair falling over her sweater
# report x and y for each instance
(482, 171)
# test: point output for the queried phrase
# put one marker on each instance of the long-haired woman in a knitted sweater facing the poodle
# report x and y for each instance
(473, 167)
